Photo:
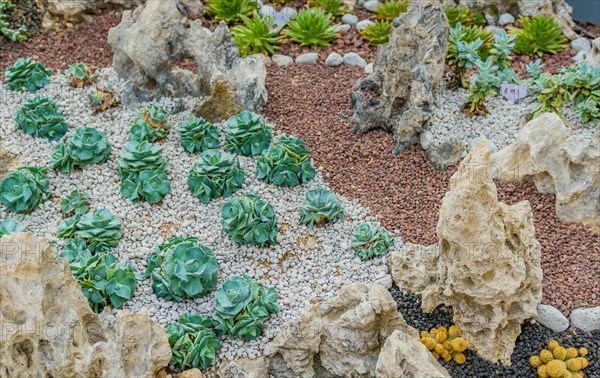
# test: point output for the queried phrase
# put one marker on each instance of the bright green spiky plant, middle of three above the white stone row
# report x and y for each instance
(312, 27)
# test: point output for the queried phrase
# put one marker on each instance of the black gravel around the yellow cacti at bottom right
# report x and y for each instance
(533, 338)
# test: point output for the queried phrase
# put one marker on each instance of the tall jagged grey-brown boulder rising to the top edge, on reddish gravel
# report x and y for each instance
(405, 76)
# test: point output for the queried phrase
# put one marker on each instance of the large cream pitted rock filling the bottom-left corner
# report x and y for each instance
(49, 329)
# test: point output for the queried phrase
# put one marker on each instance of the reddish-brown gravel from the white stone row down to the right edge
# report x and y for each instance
(406, 191)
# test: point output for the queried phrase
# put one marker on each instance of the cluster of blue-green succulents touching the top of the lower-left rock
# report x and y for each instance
(104, 280)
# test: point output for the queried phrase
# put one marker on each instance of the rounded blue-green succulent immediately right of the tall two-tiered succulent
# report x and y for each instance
(216, 174)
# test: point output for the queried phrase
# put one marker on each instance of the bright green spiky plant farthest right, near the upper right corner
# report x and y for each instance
(539, 34)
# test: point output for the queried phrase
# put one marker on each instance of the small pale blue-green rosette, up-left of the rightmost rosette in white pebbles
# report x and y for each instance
(319, 207)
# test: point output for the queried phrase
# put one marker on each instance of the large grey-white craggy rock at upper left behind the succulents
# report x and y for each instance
(151, 40)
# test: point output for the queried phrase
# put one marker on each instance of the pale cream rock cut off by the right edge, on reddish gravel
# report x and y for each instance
(558, 161)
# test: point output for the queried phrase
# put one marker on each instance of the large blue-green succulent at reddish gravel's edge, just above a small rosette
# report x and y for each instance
(286, 163)
